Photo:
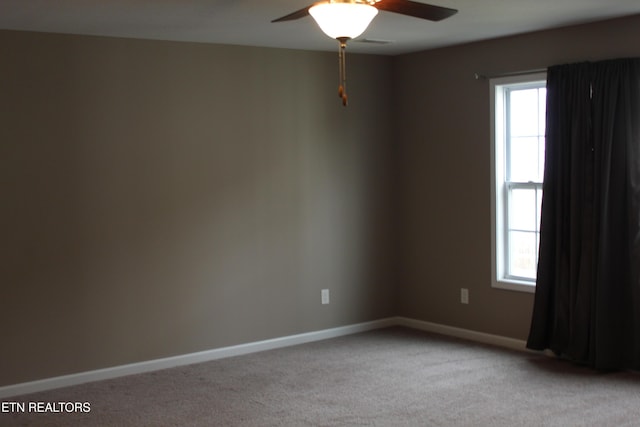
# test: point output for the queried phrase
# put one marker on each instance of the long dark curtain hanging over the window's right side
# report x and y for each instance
(587, 301)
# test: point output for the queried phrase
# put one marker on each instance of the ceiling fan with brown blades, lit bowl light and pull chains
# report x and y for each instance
(347, 19)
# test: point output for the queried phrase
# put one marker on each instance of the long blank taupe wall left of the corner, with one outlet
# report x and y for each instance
(164, 198)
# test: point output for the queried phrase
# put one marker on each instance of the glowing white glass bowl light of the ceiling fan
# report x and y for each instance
(343, 19)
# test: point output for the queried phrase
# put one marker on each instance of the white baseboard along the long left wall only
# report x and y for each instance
(187, 359)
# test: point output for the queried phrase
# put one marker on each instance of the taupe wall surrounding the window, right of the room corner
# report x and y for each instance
(444, 185)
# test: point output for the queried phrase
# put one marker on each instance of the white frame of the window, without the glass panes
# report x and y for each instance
(499, 278)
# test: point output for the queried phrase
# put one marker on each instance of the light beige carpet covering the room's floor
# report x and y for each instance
(388, 377)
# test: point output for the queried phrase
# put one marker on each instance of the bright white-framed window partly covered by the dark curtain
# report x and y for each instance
(518, 105)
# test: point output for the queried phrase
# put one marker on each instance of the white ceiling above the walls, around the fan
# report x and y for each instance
(247, 22)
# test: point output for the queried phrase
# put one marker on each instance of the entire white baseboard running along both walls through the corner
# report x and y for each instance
(238, 350)
